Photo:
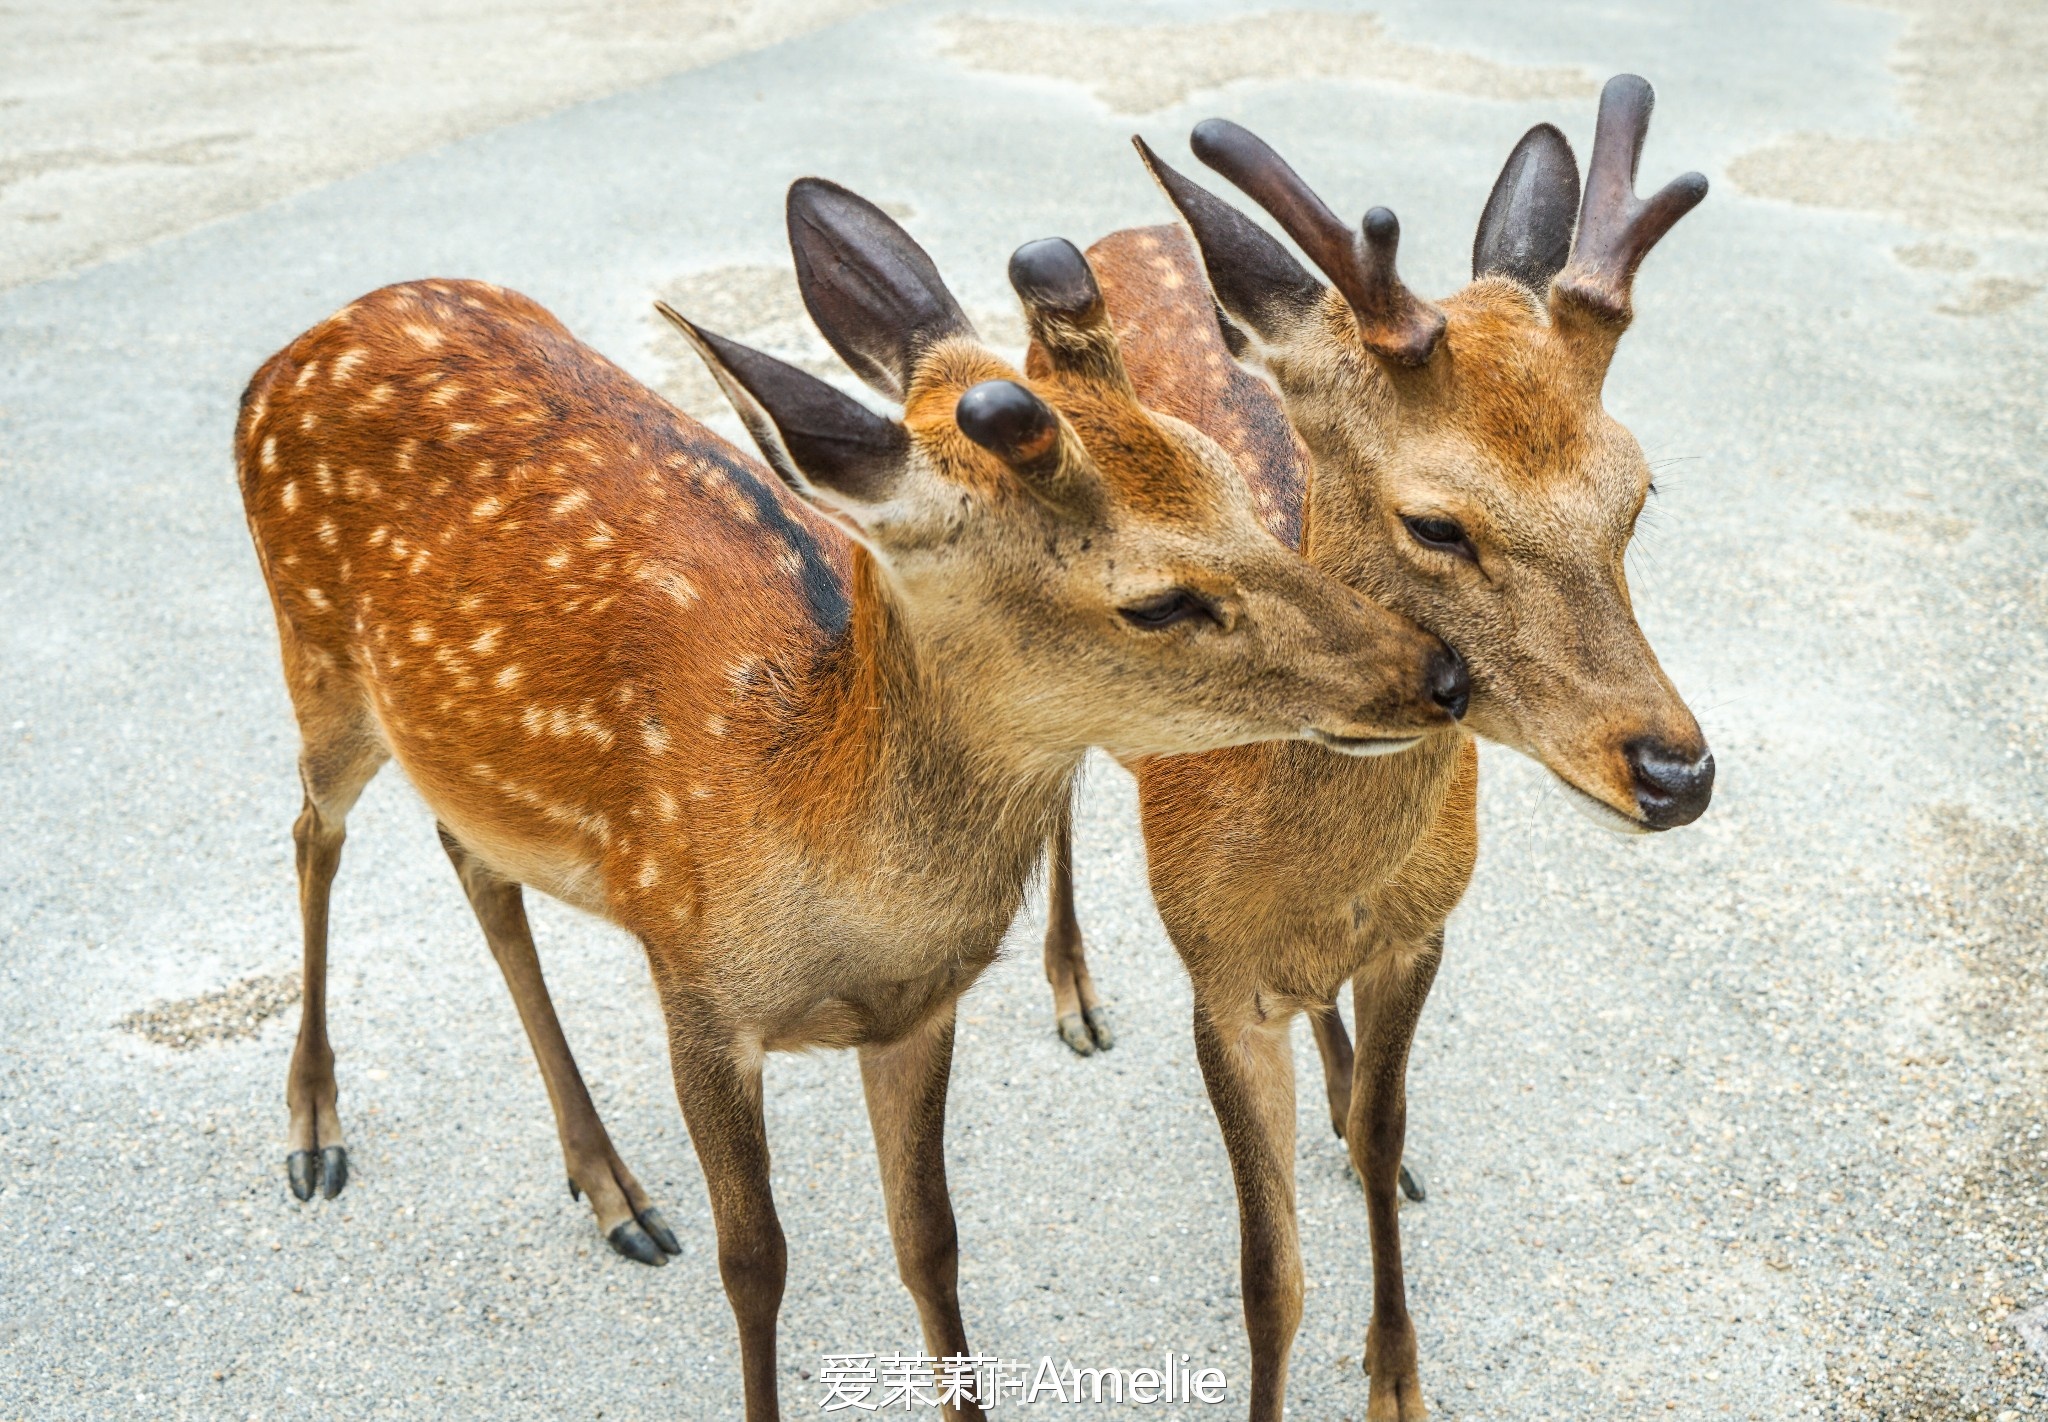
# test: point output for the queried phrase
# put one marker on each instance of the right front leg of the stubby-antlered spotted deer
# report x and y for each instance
(906, 1089)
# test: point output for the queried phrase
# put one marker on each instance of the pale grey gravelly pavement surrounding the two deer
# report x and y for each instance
(1742, 1122)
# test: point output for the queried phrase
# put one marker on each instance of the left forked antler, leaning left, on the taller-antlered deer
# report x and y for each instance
(1392, 321)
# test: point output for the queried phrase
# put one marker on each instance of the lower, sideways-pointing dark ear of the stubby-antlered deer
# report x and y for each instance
(824, 444)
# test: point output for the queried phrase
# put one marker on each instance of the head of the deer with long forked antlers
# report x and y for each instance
(1463, 466)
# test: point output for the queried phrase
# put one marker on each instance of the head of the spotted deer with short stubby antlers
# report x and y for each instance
(1050, 536)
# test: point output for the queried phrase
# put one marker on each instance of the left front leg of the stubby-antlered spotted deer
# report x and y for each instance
(720, 1087)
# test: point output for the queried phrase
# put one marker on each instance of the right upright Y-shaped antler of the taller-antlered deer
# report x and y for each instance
(1617, 228)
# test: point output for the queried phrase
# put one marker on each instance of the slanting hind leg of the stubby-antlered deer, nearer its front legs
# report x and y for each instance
(626, 1216)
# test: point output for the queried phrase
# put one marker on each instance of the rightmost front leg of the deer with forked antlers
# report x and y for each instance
(1388, 1001)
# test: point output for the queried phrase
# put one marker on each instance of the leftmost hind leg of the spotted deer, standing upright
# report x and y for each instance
(339, 755)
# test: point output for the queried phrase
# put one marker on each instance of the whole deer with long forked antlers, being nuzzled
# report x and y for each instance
(1453, 462)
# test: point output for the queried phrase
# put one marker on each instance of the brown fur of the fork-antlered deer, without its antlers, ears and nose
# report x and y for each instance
(1283, 872)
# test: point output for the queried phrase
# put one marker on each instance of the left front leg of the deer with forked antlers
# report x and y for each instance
(1250, 1077)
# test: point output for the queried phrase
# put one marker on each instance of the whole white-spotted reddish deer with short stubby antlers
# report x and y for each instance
(802, 735)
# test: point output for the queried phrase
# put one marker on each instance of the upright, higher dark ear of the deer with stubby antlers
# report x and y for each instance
(871, 290)
